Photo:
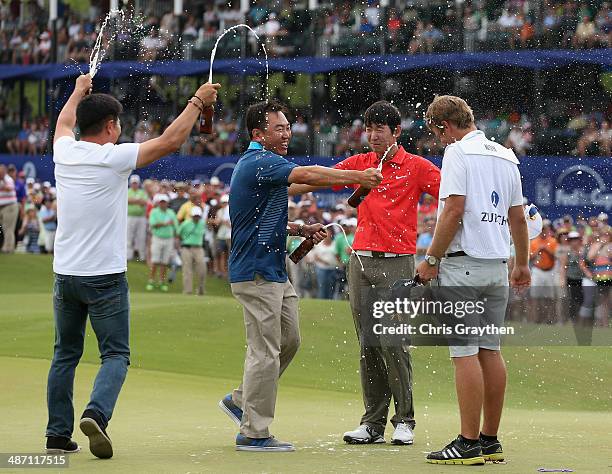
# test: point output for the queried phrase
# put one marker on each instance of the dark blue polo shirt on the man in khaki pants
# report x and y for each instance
(258, 213)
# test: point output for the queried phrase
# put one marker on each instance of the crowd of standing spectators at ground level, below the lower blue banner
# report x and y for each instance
(571, 260)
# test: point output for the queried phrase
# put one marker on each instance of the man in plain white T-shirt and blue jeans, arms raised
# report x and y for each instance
(90, 252)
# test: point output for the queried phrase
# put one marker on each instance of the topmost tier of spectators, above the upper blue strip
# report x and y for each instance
(348, 27)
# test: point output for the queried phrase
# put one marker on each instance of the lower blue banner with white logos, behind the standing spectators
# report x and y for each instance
(557, 185)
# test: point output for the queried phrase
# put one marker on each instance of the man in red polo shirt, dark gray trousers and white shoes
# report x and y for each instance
(385, 241)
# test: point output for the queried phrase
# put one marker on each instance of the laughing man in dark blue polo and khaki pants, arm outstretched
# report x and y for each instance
(258, 276)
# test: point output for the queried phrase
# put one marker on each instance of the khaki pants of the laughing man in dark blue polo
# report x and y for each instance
(273, 338)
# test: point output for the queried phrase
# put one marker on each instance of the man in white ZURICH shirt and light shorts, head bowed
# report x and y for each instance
(481, 203)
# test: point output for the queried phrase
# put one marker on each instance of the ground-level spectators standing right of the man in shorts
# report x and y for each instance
(571, 267)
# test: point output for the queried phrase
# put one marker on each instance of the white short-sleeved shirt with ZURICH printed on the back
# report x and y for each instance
(486, 173)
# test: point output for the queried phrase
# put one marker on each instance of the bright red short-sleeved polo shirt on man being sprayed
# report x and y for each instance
(387, 217)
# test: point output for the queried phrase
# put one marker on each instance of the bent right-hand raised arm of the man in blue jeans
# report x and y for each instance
(178, 131)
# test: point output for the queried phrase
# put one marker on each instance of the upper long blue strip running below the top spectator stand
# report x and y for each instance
(386, 64)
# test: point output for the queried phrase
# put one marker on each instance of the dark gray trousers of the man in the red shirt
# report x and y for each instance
(386, 370)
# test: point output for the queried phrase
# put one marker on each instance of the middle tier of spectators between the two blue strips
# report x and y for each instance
(578, 133)
